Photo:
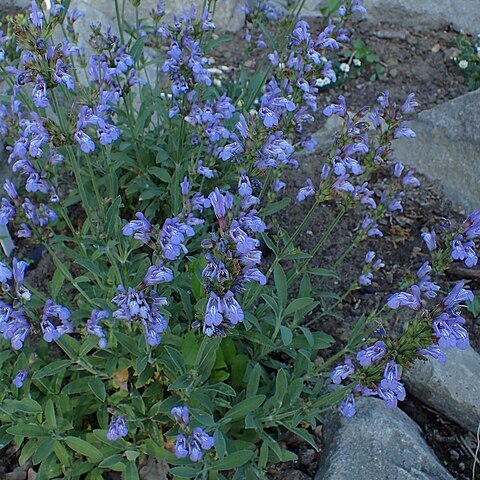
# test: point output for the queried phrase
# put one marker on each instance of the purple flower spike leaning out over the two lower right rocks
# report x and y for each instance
(436, 329)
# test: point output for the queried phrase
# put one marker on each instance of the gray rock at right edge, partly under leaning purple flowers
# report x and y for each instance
(452, 389)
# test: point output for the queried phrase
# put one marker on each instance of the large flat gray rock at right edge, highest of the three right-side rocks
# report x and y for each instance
(447, 147)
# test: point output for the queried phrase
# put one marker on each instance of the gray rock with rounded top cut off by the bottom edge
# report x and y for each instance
(377, 443)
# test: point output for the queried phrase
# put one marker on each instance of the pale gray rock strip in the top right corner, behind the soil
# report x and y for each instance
(461, 14)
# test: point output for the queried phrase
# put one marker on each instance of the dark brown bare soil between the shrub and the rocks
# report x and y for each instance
(418, 62)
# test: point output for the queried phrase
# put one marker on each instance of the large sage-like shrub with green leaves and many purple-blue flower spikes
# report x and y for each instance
(170, 326)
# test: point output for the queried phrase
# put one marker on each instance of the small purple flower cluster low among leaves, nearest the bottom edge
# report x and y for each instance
(194, 443)
